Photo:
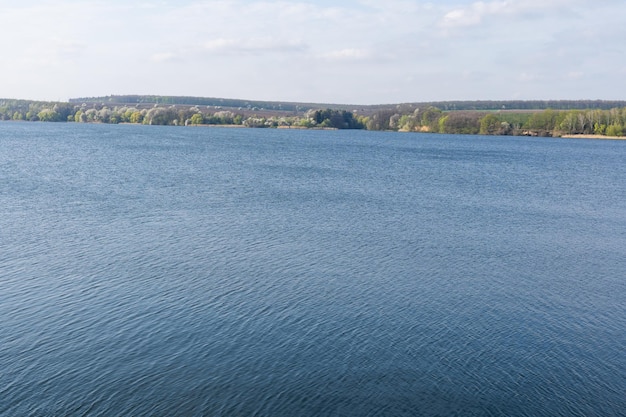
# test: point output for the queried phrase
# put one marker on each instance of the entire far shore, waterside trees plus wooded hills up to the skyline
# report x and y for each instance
(531, 118)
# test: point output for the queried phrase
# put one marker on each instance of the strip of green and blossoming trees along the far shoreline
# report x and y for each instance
(548, 122)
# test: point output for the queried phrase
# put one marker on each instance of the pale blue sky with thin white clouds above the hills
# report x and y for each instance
(350, 52)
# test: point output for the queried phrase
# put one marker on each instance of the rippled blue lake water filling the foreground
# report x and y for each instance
(161, 271)
